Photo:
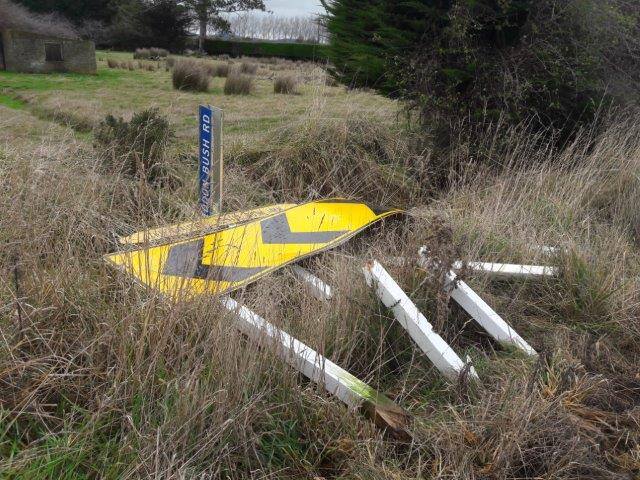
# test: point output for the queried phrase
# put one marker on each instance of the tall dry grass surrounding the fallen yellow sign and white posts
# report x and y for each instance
(100, 378)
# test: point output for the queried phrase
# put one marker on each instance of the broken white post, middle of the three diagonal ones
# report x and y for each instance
(419, 329)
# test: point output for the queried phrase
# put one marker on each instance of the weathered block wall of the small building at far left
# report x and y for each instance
(25, 52)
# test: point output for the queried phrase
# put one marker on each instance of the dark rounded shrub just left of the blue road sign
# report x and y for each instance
(136, 148)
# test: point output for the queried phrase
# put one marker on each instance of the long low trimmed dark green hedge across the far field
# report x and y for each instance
(293, 51)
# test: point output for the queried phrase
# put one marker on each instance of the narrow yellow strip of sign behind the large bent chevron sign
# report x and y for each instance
(201, 226)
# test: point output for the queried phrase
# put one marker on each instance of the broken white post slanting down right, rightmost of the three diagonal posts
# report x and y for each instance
(482, 313)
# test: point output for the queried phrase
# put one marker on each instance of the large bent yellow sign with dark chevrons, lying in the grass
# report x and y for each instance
(230, 258)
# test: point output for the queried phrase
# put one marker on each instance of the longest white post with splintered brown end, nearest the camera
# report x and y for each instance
(353, 392)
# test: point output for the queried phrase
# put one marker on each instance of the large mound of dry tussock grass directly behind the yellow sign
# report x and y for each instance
(323, 157)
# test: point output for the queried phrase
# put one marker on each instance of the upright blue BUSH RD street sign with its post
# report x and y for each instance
(210, 171)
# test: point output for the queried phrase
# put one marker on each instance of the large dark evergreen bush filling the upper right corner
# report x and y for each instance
(550, 62)
